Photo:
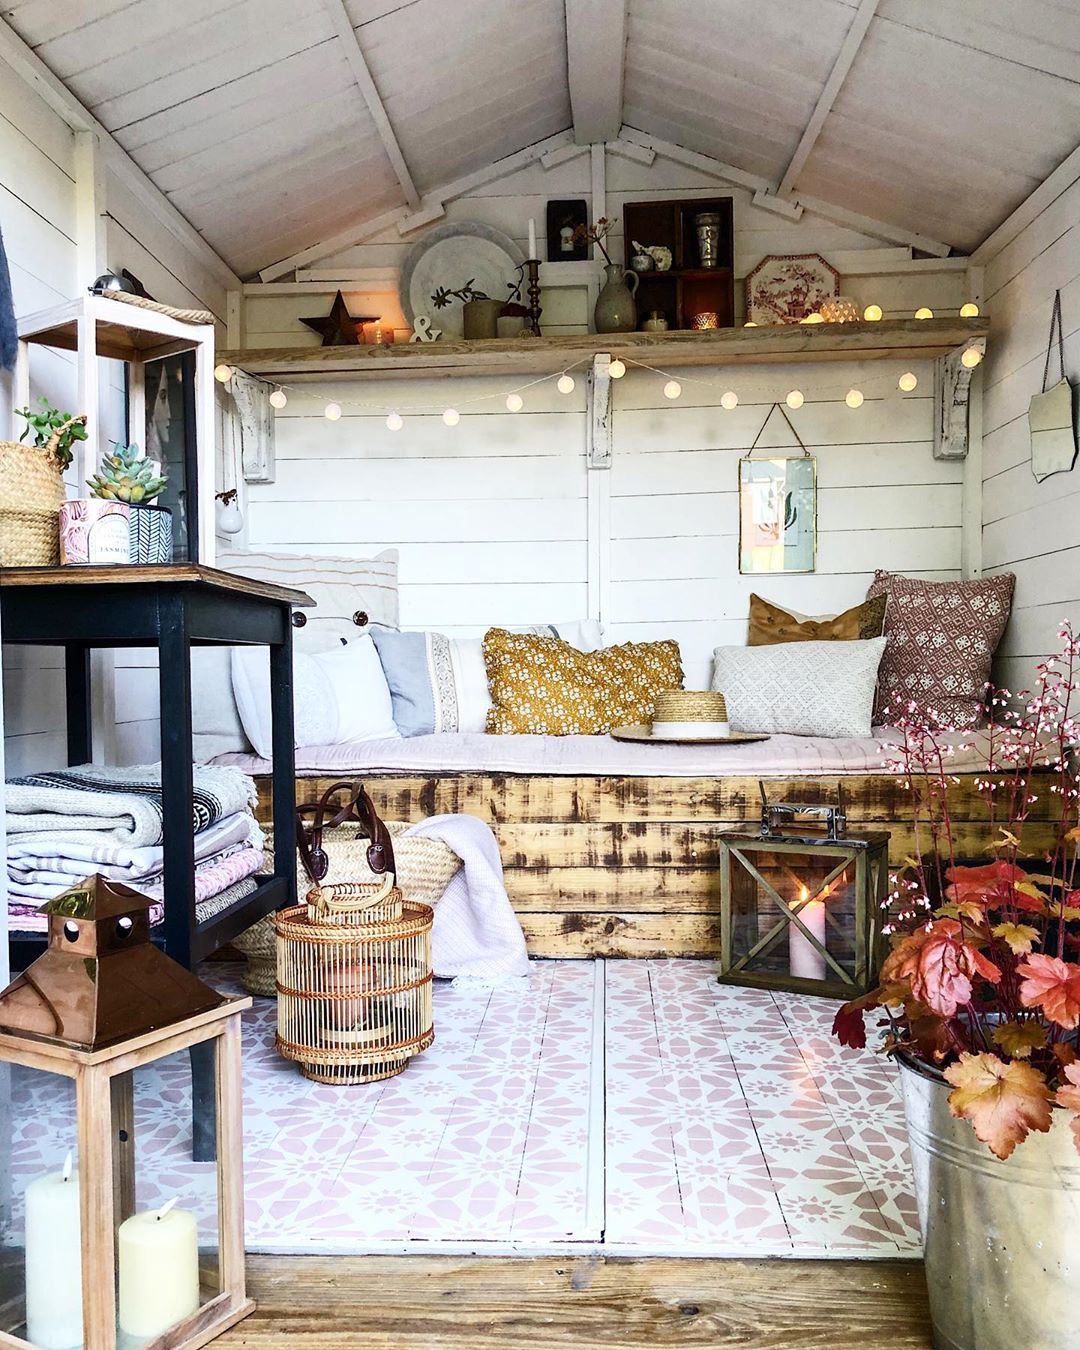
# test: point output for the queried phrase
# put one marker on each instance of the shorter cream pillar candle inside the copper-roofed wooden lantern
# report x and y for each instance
(159, 1253)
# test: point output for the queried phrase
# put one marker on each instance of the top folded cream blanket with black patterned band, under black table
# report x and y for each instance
(92, 803)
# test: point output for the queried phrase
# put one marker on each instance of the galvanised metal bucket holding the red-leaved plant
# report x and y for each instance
(1002, 1240)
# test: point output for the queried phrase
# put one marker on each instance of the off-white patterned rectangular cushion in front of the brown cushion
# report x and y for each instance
(801, 689)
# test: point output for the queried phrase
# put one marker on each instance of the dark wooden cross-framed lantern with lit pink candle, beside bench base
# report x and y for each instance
(803, 902)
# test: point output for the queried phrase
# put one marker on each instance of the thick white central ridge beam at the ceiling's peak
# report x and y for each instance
(596, 51)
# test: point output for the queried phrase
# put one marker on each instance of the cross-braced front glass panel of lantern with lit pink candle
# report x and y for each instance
(766, 939)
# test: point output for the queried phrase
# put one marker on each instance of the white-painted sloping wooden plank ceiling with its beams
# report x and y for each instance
(273, 125)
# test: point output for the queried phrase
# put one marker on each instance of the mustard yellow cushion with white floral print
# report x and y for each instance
(545, 686)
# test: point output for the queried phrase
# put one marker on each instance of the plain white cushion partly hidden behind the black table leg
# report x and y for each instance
(338, 696)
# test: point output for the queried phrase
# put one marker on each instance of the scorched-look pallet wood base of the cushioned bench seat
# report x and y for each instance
(628, 867)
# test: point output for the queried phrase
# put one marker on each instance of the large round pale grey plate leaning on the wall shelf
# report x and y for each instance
(450, 256)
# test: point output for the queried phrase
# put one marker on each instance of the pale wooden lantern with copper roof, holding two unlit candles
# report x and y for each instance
(88, 1270)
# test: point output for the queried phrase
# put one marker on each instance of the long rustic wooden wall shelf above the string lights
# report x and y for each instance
(894, 340)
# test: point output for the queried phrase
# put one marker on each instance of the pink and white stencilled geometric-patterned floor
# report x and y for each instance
(634, 1108)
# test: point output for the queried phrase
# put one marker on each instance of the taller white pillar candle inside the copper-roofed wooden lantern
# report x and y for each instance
(55, 1262)
